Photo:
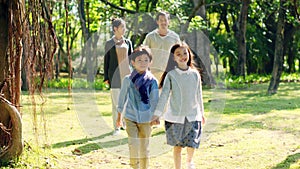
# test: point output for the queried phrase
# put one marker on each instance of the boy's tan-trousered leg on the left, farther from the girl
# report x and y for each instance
(133, 143)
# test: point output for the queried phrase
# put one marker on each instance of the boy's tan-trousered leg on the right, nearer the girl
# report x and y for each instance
(144, 136)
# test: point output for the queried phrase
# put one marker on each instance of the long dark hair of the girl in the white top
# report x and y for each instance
(171, 62)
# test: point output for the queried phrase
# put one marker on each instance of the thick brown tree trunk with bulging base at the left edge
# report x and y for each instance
(11, 32)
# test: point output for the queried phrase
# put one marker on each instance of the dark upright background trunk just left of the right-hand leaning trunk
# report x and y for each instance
(240, 34)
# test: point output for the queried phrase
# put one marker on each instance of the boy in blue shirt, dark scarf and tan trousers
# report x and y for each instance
(140, 91)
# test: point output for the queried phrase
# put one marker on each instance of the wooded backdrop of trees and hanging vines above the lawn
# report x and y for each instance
(249, 37)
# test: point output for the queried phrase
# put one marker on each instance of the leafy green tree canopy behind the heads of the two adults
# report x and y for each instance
(220, 24)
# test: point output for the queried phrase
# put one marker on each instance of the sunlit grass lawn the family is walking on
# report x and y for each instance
(246, 129)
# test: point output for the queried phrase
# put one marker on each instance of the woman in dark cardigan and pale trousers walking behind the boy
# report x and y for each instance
(116, 63)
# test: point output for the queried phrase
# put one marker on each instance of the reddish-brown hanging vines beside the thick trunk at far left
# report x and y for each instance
(40, 53)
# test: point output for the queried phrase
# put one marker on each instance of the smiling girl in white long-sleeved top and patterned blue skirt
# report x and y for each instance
(183, 118)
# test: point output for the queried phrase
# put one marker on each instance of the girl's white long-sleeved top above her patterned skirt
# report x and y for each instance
(183, 90)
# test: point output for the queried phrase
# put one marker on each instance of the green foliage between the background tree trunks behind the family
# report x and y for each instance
(219, 24)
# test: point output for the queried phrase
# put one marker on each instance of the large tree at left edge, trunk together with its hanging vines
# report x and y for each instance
(37, 47)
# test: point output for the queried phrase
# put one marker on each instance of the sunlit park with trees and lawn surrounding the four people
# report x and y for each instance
(51, 52)
